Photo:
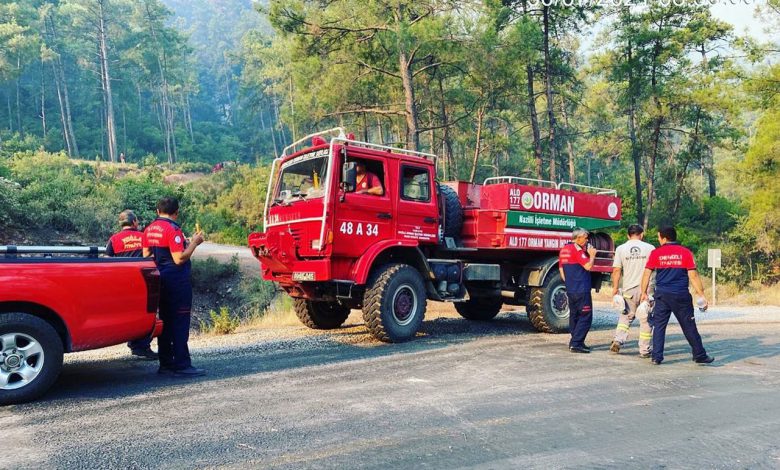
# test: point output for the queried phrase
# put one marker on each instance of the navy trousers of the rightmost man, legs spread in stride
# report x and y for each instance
(682, 307)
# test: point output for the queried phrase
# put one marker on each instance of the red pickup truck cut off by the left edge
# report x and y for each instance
(65, 299)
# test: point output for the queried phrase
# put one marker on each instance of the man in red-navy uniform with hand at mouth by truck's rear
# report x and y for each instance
(574, 263)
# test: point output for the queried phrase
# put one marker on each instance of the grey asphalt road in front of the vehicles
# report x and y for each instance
(463, 394)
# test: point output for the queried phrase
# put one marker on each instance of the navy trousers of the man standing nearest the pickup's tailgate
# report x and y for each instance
(175, 312)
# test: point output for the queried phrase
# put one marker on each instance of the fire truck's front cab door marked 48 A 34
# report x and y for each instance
(362, 220)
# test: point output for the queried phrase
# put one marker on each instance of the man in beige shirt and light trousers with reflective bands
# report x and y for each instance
(629, 264)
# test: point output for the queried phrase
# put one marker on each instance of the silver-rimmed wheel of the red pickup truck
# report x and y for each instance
(30, 357)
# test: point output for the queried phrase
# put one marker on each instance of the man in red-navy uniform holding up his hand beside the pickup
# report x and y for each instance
(164, 240)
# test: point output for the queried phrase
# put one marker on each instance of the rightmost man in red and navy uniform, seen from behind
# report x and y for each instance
(674, 268)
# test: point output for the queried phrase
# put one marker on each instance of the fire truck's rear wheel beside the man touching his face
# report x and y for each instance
(548, 307)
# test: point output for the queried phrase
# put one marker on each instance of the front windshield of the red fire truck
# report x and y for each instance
(302, 177)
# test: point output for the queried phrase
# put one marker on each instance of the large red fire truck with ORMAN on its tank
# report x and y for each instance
(480, 246)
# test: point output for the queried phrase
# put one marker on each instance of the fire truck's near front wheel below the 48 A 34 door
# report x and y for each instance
(394, 303)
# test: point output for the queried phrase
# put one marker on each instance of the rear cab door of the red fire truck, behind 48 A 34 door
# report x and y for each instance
(417, 214)
